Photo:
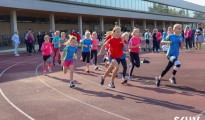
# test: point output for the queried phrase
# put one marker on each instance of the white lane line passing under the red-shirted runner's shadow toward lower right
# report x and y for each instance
(161, 102)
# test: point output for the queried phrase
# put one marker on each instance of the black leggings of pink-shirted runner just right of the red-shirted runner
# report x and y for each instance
(135, 61)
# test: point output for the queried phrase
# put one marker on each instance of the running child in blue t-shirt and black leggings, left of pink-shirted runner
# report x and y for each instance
(86, 44)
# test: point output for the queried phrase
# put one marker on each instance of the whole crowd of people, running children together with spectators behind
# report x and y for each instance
(120, 47)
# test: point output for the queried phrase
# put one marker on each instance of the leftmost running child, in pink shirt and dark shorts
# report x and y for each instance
(47, 51)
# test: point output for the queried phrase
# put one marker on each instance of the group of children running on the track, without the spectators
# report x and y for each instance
(120, 50)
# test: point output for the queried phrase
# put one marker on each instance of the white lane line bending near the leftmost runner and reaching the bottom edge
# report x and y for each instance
(77, 99)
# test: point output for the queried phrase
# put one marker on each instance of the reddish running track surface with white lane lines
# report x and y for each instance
(28, 94)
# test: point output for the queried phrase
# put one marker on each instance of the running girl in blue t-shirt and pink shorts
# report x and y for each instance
(68, 56)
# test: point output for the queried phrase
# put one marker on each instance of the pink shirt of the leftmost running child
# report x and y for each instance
(47, 48)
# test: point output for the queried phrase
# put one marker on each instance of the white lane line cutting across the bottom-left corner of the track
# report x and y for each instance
(18, 109)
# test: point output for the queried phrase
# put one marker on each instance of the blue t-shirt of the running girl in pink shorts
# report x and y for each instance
(69, 52)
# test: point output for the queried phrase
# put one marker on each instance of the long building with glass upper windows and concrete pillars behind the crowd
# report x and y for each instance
(95, 15)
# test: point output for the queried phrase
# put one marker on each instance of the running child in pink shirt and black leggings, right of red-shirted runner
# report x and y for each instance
(134, 46)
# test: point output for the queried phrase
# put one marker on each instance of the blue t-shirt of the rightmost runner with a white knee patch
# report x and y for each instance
(174, 47)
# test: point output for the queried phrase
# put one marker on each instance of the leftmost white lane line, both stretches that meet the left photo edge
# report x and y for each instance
(6, 98)
